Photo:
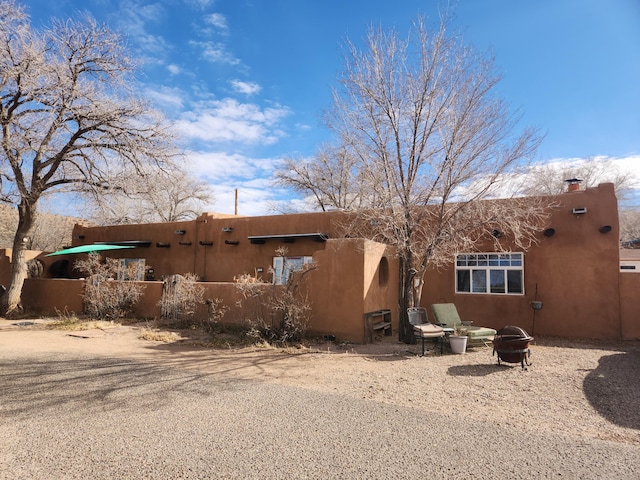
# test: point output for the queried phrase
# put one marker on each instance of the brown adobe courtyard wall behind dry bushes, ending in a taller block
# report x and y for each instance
(337, 290)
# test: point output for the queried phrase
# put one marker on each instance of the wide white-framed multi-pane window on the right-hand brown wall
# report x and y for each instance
(490, 273)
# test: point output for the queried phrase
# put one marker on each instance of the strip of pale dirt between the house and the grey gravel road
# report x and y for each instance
(589, 388)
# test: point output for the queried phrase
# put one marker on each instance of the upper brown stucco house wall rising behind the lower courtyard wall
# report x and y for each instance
(219, 262)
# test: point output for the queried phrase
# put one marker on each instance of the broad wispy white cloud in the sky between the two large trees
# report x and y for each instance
(228, 120)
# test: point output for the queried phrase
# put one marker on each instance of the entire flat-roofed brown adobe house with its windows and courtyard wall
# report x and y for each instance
(574, 271)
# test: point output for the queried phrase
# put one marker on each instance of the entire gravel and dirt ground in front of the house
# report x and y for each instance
(91, 410)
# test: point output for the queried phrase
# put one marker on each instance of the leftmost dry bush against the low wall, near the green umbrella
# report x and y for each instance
(106, 298)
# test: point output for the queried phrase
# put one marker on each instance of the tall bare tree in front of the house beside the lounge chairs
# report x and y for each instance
(432, 138)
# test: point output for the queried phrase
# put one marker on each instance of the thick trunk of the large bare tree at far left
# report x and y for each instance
(10, 301)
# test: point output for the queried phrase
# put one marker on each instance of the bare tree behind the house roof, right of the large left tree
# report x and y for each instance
(155, 196)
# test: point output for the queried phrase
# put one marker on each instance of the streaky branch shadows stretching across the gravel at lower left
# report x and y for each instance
(33, 385)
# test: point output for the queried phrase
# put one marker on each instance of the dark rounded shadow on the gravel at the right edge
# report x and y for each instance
(613, 388)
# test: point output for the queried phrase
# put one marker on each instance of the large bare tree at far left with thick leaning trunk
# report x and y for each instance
(68, 117)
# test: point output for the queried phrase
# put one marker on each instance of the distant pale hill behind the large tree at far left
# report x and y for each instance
(51, 233)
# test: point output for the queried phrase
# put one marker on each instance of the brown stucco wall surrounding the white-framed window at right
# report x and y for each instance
(575, 273)
